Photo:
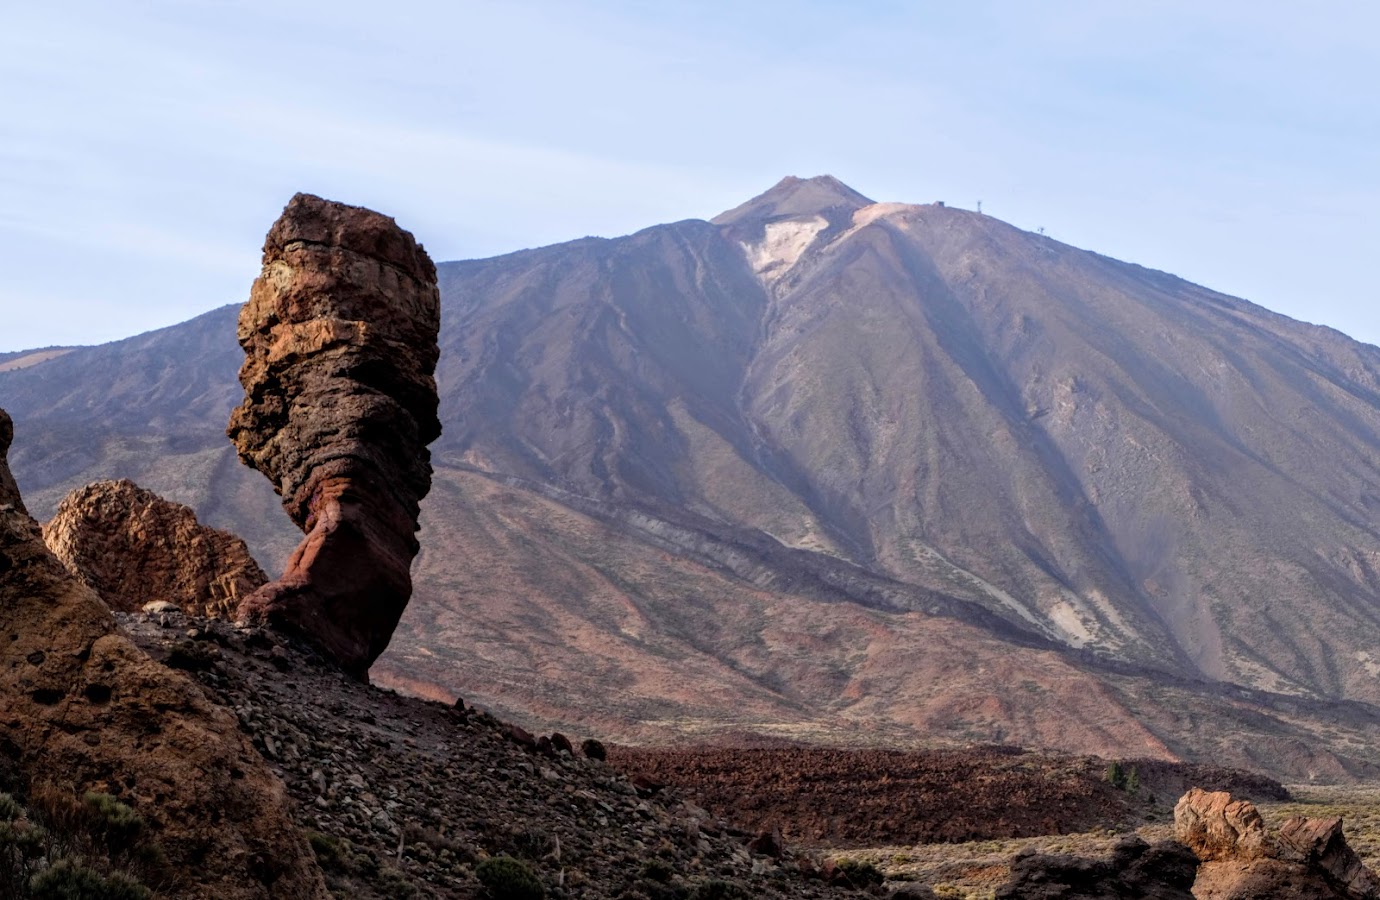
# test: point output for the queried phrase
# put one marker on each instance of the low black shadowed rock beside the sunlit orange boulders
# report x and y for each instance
(1136, 869)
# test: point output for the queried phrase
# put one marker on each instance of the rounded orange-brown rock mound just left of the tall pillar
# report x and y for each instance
(133, 547)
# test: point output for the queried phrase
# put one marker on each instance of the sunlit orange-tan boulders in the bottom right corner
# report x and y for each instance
(1241, 861)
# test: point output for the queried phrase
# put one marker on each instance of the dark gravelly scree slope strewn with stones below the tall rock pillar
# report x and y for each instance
(409, 797)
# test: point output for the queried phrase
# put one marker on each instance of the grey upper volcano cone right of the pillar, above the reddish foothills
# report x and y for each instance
(1105, 455)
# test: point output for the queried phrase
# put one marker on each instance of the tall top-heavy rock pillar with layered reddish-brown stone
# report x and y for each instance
(340, 335)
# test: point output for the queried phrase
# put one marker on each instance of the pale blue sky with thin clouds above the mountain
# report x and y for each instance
(146, 147)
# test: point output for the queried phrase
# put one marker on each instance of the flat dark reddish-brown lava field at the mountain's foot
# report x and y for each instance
(876, 799)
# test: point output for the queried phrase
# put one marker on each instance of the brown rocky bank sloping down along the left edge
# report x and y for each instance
(83, 709)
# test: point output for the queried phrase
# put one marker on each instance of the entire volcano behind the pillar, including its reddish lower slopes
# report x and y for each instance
(841, 470)
